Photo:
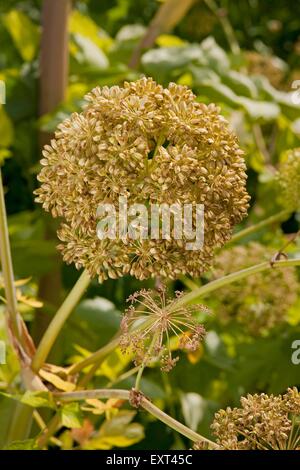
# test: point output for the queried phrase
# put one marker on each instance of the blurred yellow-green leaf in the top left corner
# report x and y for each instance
(24, 32)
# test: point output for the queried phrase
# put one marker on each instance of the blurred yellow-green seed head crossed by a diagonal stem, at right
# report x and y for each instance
(258, 302)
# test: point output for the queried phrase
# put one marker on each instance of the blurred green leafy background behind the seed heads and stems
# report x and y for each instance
(243, 55)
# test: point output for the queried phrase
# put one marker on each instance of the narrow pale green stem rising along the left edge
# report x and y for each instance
(7, 268)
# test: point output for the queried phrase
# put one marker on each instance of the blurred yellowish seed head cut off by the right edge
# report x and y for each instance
(288, 177)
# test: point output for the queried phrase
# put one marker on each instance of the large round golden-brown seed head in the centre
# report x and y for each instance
(152, 145)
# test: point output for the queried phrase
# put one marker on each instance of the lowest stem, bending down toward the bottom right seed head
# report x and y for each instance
(146, 404)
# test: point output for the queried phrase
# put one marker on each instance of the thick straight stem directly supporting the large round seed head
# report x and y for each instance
(58, 321)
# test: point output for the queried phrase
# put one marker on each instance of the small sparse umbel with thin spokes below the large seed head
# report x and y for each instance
(159, 318)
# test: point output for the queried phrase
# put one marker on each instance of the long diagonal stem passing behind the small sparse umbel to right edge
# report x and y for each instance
(187, 298)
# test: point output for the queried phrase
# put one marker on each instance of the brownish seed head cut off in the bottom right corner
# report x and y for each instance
(262, 423)
